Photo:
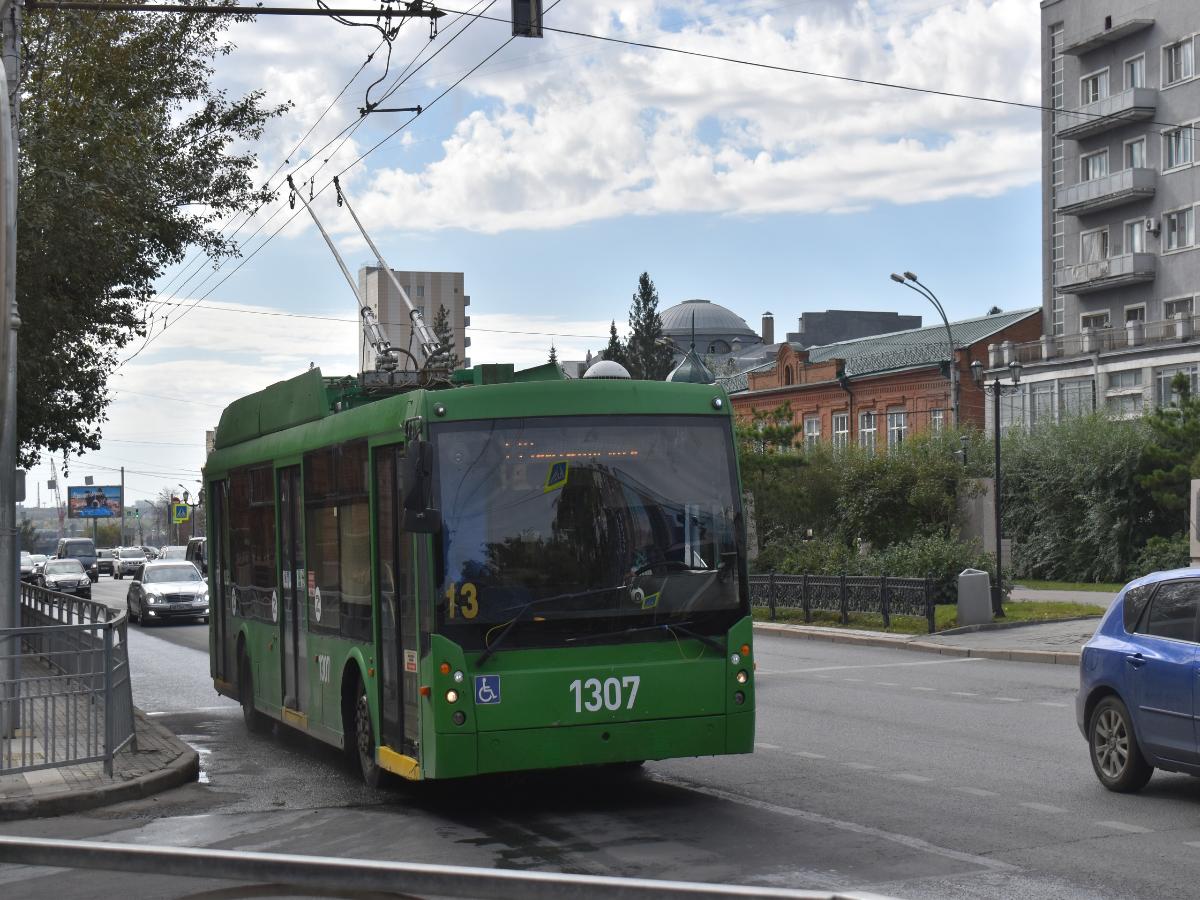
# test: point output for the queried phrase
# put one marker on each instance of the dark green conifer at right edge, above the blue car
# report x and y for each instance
(1173, 459)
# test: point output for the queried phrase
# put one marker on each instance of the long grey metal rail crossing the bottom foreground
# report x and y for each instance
(340, 875)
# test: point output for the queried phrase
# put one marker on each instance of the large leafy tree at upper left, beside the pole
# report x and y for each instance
(129, 157)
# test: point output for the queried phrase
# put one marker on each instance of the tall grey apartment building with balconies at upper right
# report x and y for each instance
(1121, 273)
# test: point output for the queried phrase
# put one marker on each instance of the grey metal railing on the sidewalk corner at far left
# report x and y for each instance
(73, 700)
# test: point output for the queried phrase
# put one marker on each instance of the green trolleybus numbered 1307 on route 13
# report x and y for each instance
(512, 572)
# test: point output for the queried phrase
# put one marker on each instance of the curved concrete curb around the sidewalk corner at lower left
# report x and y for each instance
(181, 771)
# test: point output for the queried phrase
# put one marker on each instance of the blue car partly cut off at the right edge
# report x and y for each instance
(1138, 700)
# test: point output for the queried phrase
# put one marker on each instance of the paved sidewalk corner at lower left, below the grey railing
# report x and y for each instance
(161, 761)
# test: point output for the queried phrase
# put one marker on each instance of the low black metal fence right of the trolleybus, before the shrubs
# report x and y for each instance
(844, 595)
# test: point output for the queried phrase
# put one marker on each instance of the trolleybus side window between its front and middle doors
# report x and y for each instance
(338, 539)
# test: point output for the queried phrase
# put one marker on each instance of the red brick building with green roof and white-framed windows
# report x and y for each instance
(877, 392)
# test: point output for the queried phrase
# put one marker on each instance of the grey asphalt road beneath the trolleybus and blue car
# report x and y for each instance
(911, 776)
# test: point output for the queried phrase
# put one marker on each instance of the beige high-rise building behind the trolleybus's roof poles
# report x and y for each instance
(429, 292)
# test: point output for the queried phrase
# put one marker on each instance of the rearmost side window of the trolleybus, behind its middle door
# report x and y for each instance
(253, 541)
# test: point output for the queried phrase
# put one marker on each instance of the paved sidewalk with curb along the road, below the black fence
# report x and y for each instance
(1057, 643)
